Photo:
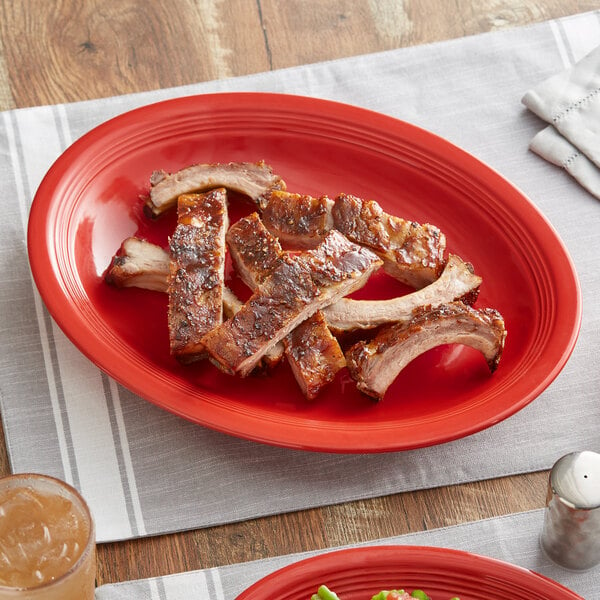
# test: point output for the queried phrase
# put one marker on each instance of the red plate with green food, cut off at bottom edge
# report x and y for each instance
(442, 573)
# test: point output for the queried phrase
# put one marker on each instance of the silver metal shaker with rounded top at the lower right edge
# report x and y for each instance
(571, 529)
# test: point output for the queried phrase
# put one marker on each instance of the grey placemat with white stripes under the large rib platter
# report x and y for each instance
(147, 472)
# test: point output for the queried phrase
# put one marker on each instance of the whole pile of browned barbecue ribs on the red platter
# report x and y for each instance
(300, 258)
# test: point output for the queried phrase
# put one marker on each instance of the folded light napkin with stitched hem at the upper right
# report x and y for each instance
(570, 102)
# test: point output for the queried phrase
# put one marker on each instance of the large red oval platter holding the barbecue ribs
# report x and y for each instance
(89, 201)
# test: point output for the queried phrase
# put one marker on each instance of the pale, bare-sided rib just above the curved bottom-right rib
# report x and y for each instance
(457, 282)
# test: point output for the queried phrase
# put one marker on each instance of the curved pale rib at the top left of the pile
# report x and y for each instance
(252, 179)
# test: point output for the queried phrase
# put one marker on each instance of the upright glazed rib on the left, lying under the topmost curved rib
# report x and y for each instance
(197, 265)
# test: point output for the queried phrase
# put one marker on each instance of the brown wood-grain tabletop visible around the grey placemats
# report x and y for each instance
(69, 50)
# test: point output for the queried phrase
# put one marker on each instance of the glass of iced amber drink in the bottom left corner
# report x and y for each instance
(47, 540)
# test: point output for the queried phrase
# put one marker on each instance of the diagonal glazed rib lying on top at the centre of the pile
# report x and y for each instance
(299, 286)
